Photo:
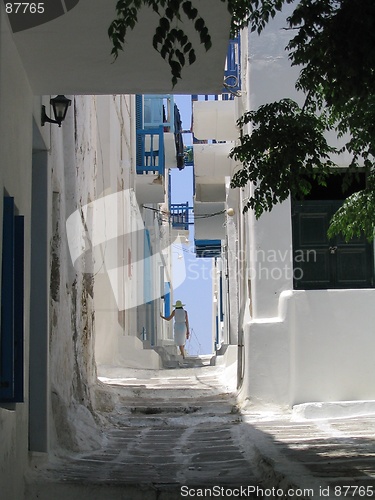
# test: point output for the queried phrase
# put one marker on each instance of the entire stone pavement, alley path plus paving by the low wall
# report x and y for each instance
(176, 434)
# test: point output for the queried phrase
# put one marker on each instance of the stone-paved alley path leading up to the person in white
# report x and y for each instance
(168, 431)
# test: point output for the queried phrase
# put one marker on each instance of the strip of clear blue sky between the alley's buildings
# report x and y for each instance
(196, 290)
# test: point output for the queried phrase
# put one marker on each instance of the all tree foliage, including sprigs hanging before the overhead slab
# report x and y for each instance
(333, 42)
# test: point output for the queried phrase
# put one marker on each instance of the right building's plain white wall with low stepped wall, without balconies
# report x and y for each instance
(298, 346)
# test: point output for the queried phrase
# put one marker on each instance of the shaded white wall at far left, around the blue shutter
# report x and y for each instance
(16, 104)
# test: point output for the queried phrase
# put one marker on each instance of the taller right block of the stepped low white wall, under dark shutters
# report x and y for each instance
(334, 345)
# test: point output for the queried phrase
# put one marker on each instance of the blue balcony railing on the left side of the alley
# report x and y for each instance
(150, 151)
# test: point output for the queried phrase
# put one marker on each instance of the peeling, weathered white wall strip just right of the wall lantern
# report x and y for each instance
(73, 164)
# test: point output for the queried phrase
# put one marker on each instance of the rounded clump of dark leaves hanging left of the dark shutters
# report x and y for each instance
(275, 164)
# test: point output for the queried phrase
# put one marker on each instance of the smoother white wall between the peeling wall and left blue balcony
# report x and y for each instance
(118, 283)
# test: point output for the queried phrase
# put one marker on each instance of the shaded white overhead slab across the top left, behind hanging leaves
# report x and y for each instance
(69, 51)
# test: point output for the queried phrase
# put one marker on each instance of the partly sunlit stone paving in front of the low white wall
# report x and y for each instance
(322, 458)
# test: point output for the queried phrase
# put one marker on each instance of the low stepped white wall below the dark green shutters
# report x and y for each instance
(320, 347)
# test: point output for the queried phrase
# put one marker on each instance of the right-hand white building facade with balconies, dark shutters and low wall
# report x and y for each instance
(302, 306)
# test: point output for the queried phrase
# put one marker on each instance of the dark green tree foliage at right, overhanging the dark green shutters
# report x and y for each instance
(334, 44)
